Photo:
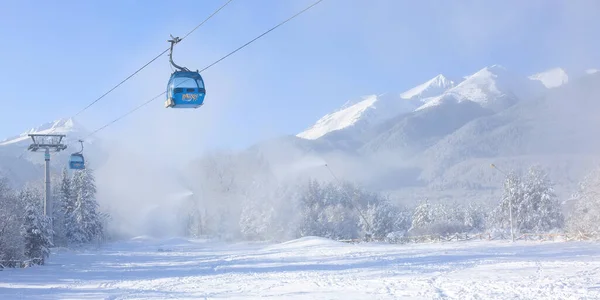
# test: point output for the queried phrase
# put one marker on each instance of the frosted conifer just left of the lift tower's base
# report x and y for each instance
(36, 229)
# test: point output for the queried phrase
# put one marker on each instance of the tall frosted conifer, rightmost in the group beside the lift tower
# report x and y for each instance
(87, 220)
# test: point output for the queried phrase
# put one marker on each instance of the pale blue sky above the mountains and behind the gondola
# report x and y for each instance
(57, 56)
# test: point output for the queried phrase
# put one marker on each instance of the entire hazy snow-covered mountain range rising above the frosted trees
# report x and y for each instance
(450, 131)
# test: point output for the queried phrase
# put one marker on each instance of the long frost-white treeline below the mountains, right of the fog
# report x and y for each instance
(267, 211)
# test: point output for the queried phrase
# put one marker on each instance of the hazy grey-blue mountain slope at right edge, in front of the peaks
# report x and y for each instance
(550, 131)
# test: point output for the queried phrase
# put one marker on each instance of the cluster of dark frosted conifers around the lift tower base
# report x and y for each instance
(27, 234)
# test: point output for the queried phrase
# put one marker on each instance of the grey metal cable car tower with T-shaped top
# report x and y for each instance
(48, 143)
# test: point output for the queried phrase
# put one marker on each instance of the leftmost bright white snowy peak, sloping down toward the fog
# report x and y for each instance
(371, 109)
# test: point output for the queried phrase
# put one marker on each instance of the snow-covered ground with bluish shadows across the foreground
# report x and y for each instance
(313, 268)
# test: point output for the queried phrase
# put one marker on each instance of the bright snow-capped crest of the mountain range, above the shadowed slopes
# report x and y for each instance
(492, 87)
